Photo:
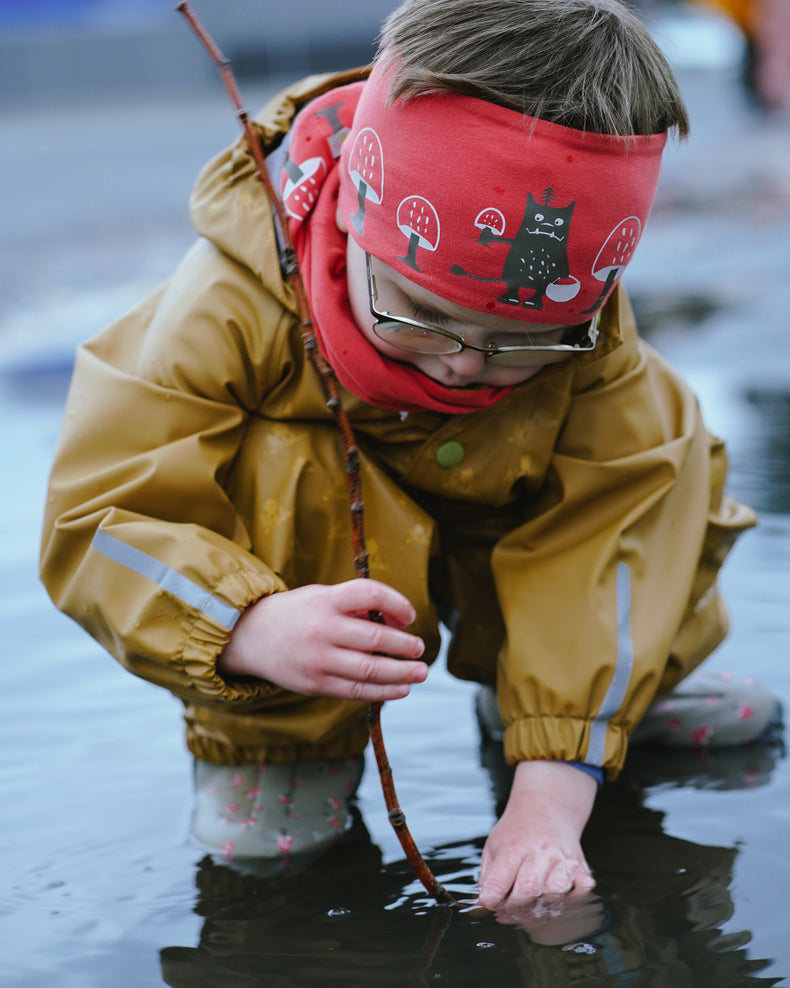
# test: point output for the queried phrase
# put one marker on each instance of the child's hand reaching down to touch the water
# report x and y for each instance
(534, 849)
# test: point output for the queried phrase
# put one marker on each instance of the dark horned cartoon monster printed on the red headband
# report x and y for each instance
(538, 254)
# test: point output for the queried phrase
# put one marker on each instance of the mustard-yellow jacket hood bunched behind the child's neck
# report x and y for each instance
(229, 206)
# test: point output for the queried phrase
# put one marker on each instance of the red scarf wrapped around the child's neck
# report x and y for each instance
(321, 251)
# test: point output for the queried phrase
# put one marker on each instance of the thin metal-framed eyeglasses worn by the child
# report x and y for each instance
(419, 337)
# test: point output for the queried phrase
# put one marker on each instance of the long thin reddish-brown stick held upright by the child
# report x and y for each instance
(351, 454)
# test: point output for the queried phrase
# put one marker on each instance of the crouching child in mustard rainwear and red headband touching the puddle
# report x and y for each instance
(534, 475)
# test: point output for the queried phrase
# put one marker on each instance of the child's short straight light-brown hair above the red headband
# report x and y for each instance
(587, 64)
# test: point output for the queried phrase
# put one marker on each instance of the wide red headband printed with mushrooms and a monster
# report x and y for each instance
(492, 210)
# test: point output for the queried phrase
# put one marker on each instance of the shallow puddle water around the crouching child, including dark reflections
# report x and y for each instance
(100, 885)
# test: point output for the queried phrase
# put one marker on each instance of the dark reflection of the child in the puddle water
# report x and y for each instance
(349, 919)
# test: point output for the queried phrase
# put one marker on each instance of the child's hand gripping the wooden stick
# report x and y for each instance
(319, 640)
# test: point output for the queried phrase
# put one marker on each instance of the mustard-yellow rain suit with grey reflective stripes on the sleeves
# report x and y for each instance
(571, 534)
